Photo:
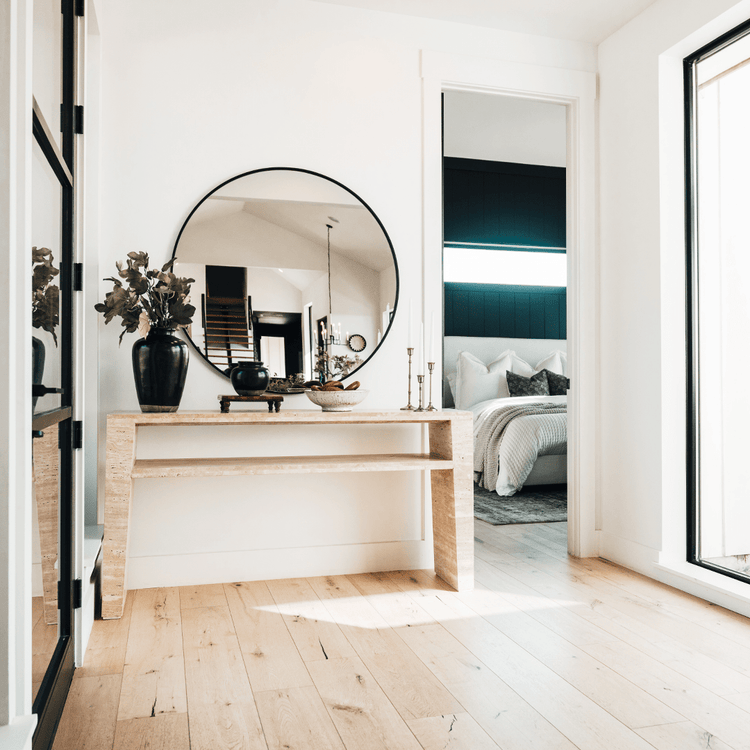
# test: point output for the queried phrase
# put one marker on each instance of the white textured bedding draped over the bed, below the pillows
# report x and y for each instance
(524, 439)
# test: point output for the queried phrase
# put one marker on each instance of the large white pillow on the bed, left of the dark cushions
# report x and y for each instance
(477, 382)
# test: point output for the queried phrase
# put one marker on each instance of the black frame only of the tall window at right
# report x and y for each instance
(692, 295)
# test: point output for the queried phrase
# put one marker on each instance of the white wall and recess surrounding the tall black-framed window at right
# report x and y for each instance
(642, 261)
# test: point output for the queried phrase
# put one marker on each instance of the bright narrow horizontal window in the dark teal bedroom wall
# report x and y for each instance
(477, 266)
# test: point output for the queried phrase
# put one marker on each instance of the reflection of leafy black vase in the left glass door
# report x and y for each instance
(45, 309)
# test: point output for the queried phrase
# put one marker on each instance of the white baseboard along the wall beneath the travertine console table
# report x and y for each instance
(260, 565)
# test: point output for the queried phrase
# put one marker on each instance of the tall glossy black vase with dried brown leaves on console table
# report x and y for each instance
(155, 303)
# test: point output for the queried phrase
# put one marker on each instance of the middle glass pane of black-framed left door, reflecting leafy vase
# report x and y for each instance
(46, 260)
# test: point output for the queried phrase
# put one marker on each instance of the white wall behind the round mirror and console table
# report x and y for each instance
(238, 85)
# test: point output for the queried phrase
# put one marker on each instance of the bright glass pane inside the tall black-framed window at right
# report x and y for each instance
(723, 148)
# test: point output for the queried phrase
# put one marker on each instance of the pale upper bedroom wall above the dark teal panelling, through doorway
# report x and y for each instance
(502, 128)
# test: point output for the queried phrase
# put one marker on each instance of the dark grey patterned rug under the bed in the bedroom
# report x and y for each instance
(531, 505)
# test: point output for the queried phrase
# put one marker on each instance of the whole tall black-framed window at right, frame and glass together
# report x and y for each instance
(717, 117)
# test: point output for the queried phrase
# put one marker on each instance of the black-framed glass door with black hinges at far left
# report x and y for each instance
(52, 261)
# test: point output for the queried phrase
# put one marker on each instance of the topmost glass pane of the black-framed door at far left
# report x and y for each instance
(47, 64)
